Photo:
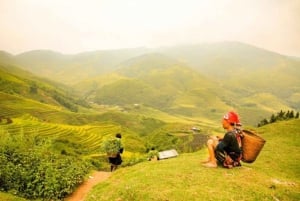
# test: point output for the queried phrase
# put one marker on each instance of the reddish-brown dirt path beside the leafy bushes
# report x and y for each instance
(87, 185)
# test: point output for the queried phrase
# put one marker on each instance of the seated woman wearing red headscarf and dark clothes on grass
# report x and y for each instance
(226, 150)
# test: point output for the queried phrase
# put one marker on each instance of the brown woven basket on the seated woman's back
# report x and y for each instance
(252, 144)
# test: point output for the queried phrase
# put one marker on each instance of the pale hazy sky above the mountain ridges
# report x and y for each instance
(72, 26)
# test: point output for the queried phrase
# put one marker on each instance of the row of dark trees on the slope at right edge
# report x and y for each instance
(279, 116)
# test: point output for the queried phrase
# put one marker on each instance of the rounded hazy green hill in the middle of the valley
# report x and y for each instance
(162, 83)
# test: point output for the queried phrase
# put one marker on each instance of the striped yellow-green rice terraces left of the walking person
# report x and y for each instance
(89, 136)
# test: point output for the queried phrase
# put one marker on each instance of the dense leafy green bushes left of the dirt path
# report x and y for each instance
(28, 168)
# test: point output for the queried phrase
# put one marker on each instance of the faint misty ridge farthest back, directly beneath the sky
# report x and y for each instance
(208, 58)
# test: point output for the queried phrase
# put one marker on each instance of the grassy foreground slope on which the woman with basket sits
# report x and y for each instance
(274, 176)
